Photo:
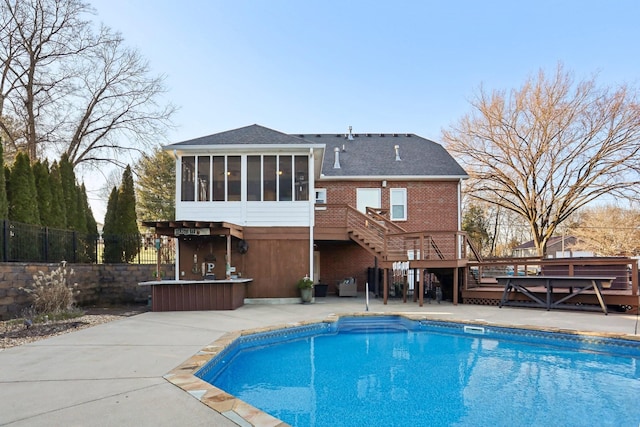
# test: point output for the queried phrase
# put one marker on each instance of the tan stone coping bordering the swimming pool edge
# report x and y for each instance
(246, 415)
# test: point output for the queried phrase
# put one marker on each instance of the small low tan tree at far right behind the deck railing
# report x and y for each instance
(607, 230)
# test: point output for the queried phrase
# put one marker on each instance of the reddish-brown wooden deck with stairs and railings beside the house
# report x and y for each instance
(472, 280)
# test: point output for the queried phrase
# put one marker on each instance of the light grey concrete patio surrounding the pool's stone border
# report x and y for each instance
(112, 374)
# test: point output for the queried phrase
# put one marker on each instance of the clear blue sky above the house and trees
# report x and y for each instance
(303, 66)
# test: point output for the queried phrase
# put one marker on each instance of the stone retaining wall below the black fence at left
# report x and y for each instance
(99, 284)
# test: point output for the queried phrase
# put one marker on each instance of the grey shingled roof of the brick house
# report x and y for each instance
(363, 155)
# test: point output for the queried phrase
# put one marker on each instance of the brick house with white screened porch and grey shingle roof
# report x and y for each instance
(255, 202)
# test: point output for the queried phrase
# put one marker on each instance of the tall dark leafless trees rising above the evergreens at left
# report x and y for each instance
(73, 90)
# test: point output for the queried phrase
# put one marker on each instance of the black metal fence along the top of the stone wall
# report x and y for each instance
(21, 242)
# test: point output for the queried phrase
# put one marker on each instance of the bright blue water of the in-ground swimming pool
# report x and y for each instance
(388, 371)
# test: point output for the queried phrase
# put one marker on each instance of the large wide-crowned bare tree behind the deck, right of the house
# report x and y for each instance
(549, 148)
